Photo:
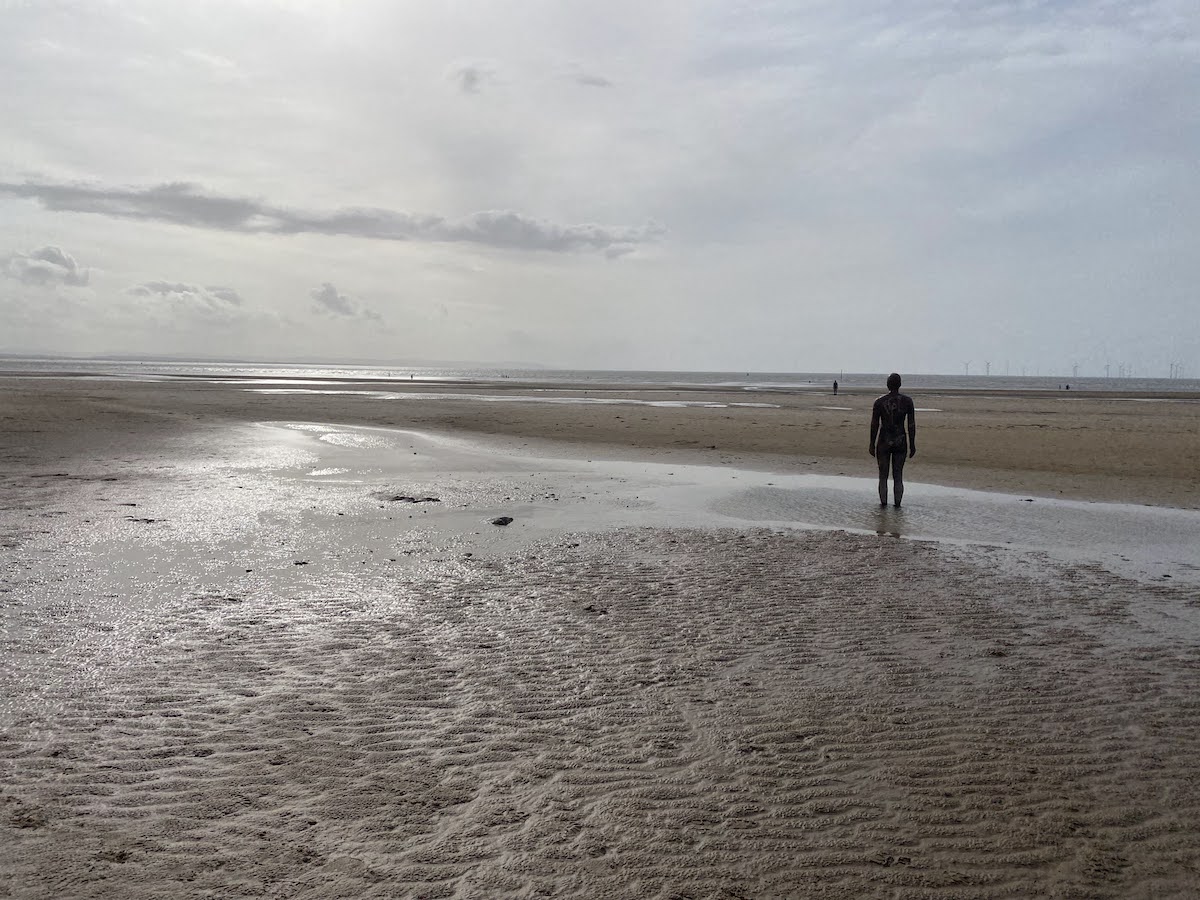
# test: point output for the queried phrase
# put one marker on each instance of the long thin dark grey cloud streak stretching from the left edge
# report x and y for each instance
(187, 205)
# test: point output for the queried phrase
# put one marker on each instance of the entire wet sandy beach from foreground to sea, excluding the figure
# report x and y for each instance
(265, 640)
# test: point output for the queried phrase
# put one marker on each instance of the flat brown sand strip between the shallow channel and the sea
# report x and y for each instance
(1120, 448)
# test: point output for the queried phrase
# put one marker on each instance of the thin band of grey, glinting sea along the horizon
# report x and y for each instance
(155, 370)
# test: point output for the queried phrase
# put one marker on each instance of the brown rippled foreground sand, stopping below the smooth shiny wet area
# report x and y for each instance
(673, 715)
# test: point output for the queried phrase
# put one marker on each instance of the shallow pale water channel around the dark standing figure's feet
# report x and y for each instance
(1145, 543)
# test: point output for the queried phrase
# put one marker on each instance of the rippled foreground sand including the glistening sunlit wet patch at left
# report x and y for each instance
(235, 669)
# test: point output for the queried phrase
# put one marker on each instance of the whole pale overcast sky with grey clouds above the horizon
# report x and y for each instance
(843, 185)
